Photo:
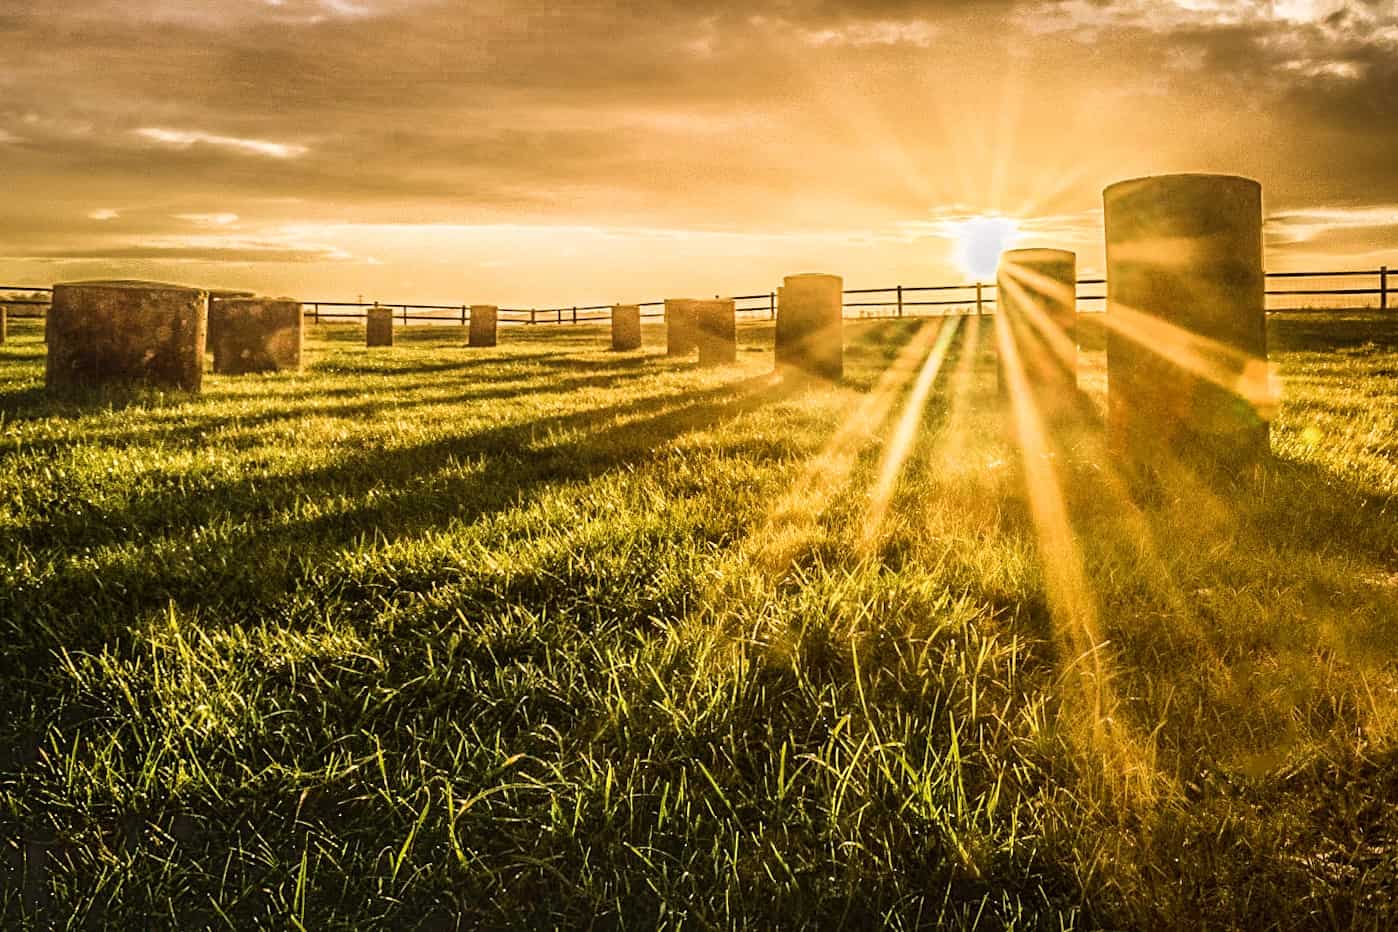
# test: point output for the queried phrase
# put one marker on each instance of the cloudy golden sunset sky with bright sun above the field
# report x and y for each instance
(533, 154)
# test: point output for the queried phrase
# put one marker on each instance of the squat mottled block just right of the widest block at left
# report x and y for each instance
(258, 335)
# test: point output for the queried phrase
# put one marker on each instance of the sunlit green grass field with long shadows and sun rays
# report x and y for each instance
(550, 636)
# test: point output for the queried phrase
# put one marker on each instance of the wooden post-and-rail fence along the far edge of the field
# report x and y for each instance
(897, 301)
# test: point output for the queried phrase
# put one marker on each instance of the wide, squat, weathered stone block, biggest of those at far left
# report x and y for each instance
(127, 332)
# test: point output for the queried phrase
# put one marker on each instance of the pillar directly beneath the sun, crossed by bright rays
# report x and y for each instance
(1037, 291)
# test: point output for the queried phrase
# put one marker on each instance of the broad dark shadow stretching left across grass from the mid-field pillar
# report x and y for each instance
(254, 560)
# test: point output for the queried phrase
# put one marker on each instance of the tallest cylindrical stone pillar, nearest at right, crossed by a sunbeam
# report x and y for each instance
(1186, 319)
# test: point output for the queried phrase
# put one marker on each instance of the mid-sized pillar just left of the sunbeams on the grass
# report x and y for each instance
(810, 333)
